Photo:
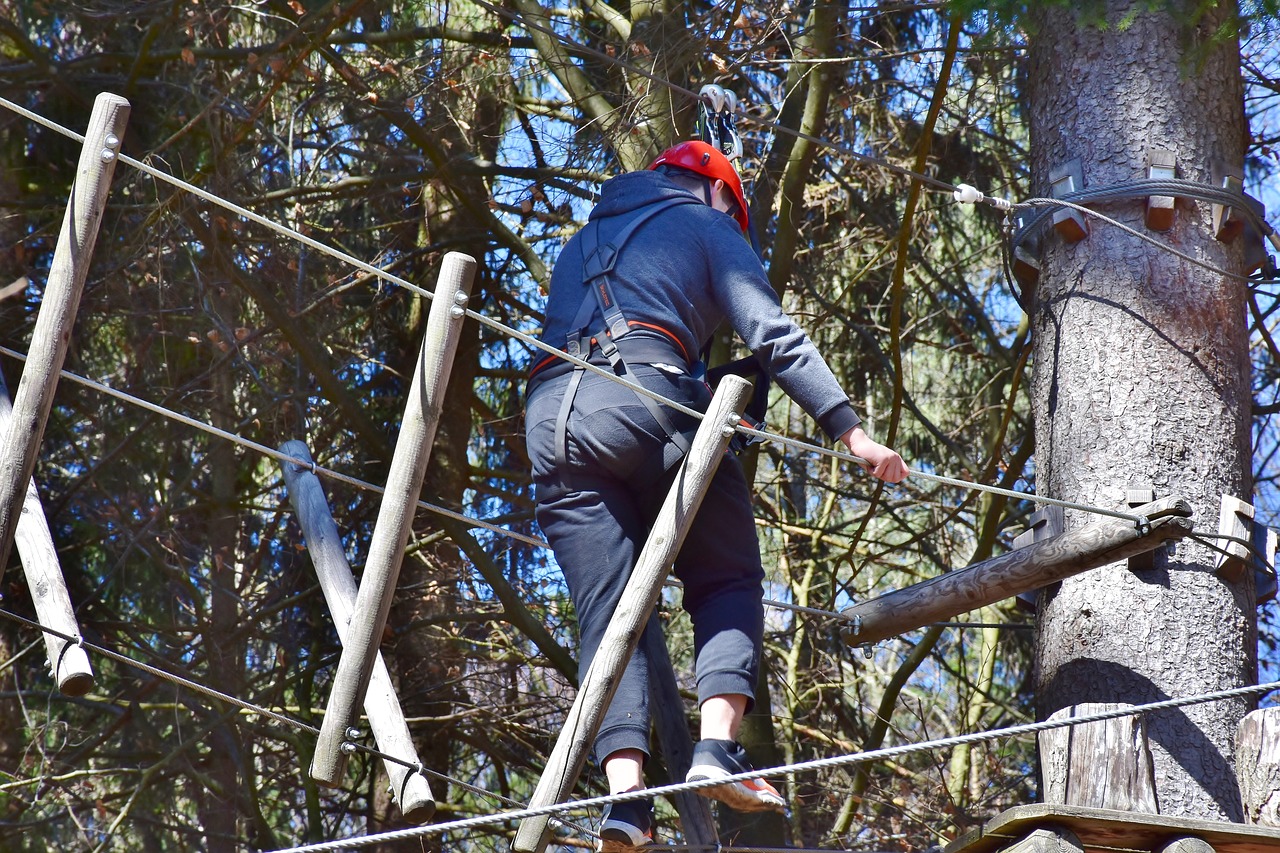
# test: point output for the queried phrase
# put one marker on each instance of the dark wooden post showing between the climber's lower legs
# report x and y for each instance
(678, 746)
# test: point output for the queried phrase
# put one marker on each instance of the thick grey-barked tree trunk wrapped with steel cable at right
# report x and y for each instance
(1142, 378)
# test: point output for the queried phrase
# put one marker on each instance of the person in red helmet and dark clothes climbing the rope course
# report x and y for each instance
(641, 289)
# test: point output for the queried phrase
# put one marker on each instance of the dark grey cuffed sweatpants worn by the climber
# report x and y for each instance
(597, 517)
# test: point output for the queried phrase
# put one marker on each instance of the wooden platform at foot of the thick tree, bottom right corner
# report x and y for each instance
(1107, 831)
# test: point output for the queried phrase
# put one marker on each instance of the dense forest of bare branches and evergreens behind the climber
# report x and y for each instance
(397, 131)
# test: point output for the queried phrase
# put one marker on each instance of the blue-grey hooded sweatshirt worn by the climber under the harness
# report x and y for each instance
(678, 279)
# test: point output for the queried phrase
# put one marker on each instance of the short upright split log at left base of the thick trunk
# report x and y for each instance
(1099, 765)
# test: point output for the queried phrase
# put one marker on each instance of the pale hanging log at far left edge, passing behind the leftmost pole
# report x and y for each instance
(67, 662)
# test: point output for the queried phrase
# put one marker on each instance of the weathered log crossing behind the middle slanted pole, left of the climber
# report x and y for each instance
(412, 790)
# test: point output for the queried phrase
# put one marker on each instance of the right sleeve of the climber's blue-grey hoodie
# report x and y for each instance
(753, 309)
